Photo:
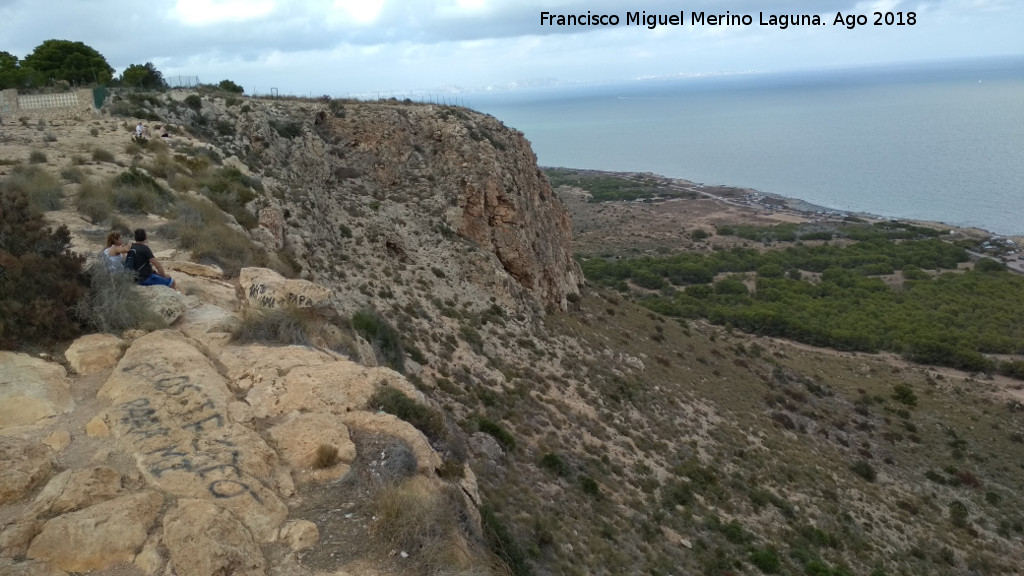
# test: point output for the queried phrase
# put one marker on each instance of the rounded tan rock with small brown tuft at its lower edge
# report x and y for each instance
(301, 437)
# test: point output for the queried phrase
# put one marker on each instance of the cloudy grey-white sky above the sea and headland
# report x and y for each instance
(351, 48)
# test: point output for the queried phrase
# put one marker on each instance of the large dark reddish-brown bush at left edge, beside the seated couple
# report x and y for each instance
(41, 281)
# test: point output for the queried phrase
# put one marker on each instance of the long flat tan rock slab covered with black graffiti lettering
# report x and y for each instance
(170, 412)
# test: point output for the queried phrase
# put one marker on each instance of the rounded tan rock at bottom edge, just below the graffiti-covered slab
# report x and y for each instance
(204, 540)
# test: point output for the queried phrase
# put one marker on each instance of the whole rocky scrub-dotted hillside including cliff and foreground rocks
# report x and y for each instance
(604, 438)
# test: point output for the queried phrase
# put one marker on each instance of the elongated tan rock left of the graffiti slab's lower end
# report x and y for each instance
(73, 490)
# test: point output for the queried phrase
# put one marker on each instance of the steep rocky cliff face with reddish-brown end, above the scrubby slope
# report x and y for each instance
(401, 179)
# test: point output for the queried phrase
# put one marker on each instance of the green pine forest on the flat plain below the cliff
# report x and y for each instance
(834, 295)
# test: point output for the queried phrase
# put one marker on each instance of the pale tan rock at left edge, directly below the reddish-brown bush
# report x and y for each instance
(31, 390)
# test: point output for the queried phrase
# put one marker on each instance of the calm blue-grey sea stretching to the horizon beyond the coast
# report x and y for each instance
(942, 142)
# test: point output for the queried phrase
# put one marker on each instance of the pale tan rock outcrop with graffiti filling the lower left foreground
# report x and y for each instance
(200, 446)
